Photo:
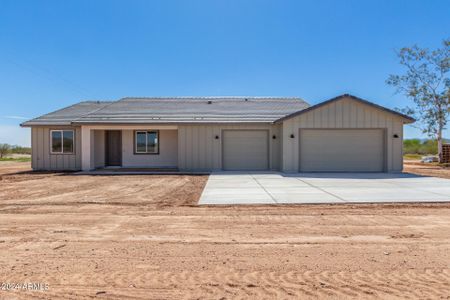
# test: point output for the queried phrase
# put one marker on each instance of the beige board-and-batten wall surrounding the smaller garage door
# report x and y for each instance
(199, 150)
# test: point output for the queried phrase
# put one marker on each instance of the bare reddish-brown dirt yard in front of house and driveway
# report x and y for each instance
(144, 237)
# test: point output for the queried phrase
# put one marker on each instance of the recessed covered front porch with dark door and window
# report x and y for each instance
(129, 149)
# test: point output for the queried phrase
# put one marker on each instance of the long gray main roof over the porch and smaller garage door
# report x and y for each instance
(174, 110)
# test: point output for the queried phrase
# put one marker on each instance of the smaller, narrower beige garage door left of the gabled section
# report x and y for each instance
(245, 150)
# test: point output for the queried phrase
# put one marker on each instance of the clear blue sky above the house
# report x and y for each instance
(56, 53)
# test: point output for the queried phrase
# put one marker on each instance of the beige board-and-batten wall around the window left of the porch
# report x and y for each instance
(41, 156)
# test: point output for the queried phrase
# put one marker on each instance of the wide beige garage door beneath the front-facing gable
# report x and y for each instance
(341, 150)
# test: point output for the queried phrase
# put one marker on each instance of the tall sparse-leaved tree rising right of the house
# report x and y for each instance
(427, 83)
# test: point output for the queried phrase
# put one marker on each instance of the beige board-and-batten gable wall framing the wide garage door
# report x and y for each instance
(345, 113)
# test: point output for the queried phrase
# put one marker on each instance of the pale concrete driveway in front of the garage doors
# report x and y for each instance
(277, 188)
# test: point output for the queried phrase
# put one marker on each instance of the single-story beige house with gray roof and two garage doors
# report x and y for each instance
(343, 134)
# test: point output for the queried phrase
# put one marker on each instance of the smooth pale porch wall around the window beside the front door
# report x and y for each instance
(168, 151)
